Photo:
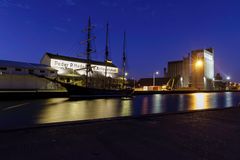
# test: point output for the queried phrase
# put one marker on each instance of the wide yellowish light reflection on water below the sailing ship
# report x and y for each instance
(82, 110)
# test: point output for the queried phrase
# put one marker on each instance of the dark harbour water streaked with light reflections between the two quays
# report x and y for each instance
(24, 113)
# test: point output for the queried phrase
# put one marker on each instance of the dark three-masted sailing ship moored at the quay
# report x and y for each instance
(89, 91)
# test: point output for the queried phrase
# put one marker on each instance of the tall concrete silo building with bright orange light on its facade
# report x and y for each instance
(196, 70)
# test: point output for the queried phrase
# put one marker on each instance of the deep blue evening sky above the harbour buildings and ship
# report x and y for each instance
(157, 30)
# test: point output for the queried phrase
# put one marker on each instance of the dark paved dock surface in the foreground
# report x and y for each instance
(196, 135)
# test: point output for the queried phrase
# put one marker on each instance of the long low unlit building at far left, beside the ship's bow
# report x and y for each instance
(18, 75)
